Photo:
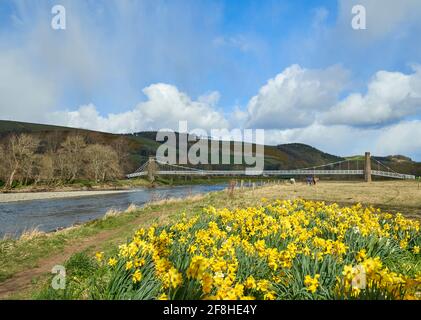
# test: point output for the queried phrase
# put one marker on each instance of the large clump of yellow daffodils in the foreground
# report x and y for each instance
(283, 250)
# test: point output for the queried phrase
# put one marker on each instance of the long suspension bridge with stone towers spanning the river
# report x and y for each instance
(367, 168)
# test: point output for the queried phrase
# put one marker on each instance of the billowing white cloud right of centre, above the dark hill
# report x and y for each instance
(295, 97)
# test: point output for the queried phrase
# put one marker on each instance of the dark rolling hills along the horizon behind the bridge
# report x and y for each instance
(141, 145)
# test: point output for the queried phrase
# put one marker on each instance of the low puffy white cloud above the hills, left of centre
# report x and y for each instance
(164, 108)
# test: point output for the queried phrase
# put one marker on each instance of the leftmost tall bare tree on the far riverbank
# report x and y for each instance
(20, 155)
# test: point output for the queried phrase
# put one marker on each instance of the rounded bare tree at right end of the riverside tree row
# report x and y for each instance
(102, 162)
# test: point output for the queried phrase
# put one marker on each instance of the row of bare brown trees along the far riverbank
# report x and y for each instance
(26, 159)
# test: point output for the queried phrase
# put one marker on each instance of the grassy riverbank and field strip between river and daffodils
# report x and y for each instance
(104, 234)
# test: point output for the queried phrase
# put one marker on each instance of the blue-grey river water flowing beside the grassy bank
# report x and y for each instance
(51, 214)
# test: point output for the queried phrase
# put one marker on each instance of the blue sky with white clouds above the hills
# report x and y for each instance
(296, 68)
